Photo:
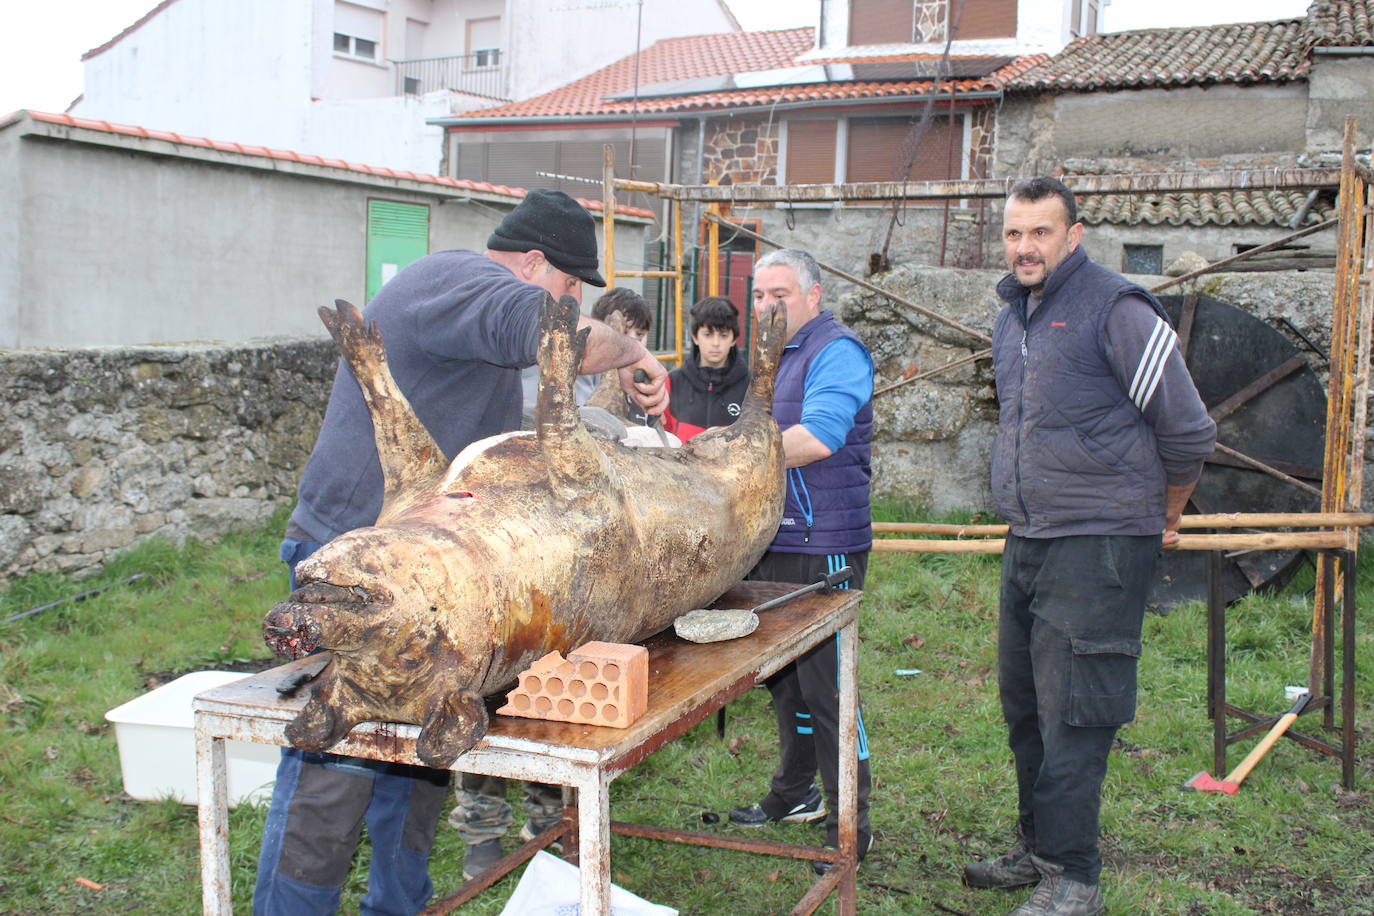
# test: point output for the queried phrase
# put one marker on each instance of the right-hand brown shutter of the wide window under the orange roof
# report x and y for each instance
(879, 150)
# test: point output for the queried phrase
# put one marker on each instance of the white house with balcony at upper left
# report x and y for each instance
(361, 79)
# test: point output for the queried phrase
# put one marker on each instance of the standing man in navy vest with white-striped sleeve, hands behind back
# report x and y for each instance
(1101, 440)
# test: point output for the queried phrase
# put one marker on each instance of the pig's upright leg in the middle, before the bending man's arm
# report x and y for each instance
(575, 462)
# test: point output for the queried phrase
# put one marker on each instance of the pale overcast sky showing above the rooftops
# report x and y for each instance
(42, 64)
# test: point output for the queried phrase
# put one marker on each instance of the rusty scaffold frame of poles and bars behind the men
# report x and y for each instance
(1349, 385)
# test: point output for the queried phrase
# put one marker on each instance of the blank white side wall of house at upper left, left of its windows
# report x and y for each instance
(226, 71)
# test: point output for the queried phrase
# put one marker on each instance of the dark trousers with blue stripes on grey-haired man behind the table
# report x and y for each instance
(806, 698)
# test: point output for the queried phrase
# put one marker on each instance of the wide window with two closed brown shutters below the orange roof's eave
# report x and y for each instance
(824, 152)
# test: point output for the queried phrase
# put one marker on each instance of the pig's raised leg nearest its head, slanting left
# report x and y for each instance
(406, 448)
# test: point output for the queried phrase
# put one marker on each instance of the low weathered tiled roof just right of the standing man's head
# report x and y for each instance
(1213, 208)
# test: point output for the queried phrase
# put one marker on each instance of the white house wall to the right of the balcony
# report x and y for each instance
(556, 42)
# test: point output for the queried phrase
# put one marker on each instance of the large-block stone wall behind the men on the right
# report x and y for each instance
(932, 439)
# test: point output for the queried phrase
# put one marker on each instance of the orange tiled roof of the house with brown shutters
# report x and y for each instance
(699, 57)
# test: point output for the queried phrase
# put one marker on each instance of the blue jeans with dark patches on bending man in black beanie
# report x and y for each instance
(314, 823)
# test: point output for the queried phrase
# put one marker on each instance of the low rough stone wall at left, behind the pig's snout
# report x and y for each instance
(106, 447)
